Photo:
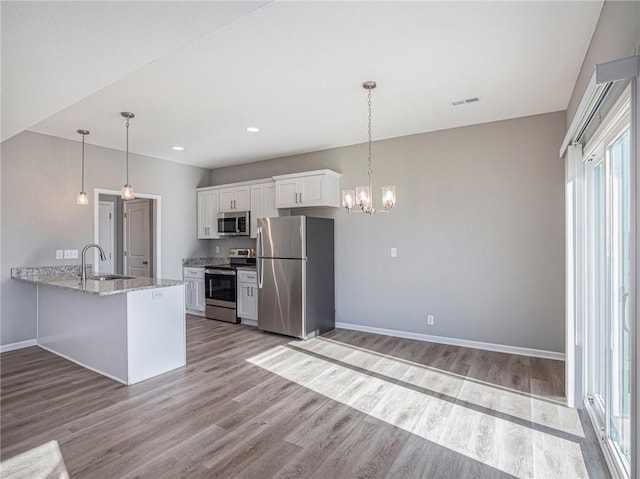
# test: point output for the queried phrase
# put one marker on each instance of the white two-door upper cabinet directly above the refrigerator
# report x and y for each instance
(319, 188)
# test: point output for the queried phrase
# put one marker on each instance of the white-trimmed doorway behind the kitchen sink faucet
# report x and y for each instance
(136, 233)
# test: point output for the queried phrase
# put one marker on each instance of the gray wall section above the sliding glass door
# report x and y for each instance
(617, 35)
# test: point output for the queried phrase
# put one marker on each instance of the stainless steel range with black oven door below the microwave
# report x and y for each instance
(220, 285)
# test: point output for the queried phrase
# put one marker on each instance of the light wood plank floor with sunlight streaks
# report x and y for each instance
(349, 404)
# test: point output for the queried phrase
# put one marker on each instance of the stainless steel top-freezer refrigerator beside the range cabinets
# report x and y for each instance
(296, 294)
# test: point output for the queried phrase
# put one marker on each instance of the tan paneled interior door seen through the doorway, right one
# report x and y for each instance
(137, 238)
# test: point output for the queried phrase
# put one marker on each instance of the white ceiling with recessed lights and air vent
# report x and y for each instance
(196, 74)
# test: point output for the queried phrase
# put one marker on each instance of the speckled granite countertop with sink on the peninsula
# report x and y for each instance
(67, 277)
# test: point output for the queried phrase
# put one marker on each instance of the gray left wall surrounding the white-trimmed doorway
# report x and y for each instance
(40, 180)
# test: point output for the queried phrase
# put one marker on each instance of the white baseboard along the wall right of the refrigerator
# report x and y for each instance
(499, 348)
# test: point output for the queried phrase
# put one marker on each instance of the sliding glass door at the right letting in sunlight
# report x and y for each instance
(608, 284)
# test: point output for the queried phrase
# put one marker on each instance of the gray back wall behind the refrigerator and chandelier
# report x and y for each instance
(479, 228)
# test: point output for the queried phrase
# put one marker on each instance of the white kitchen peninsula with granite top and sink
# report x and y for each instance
(126, 329)
